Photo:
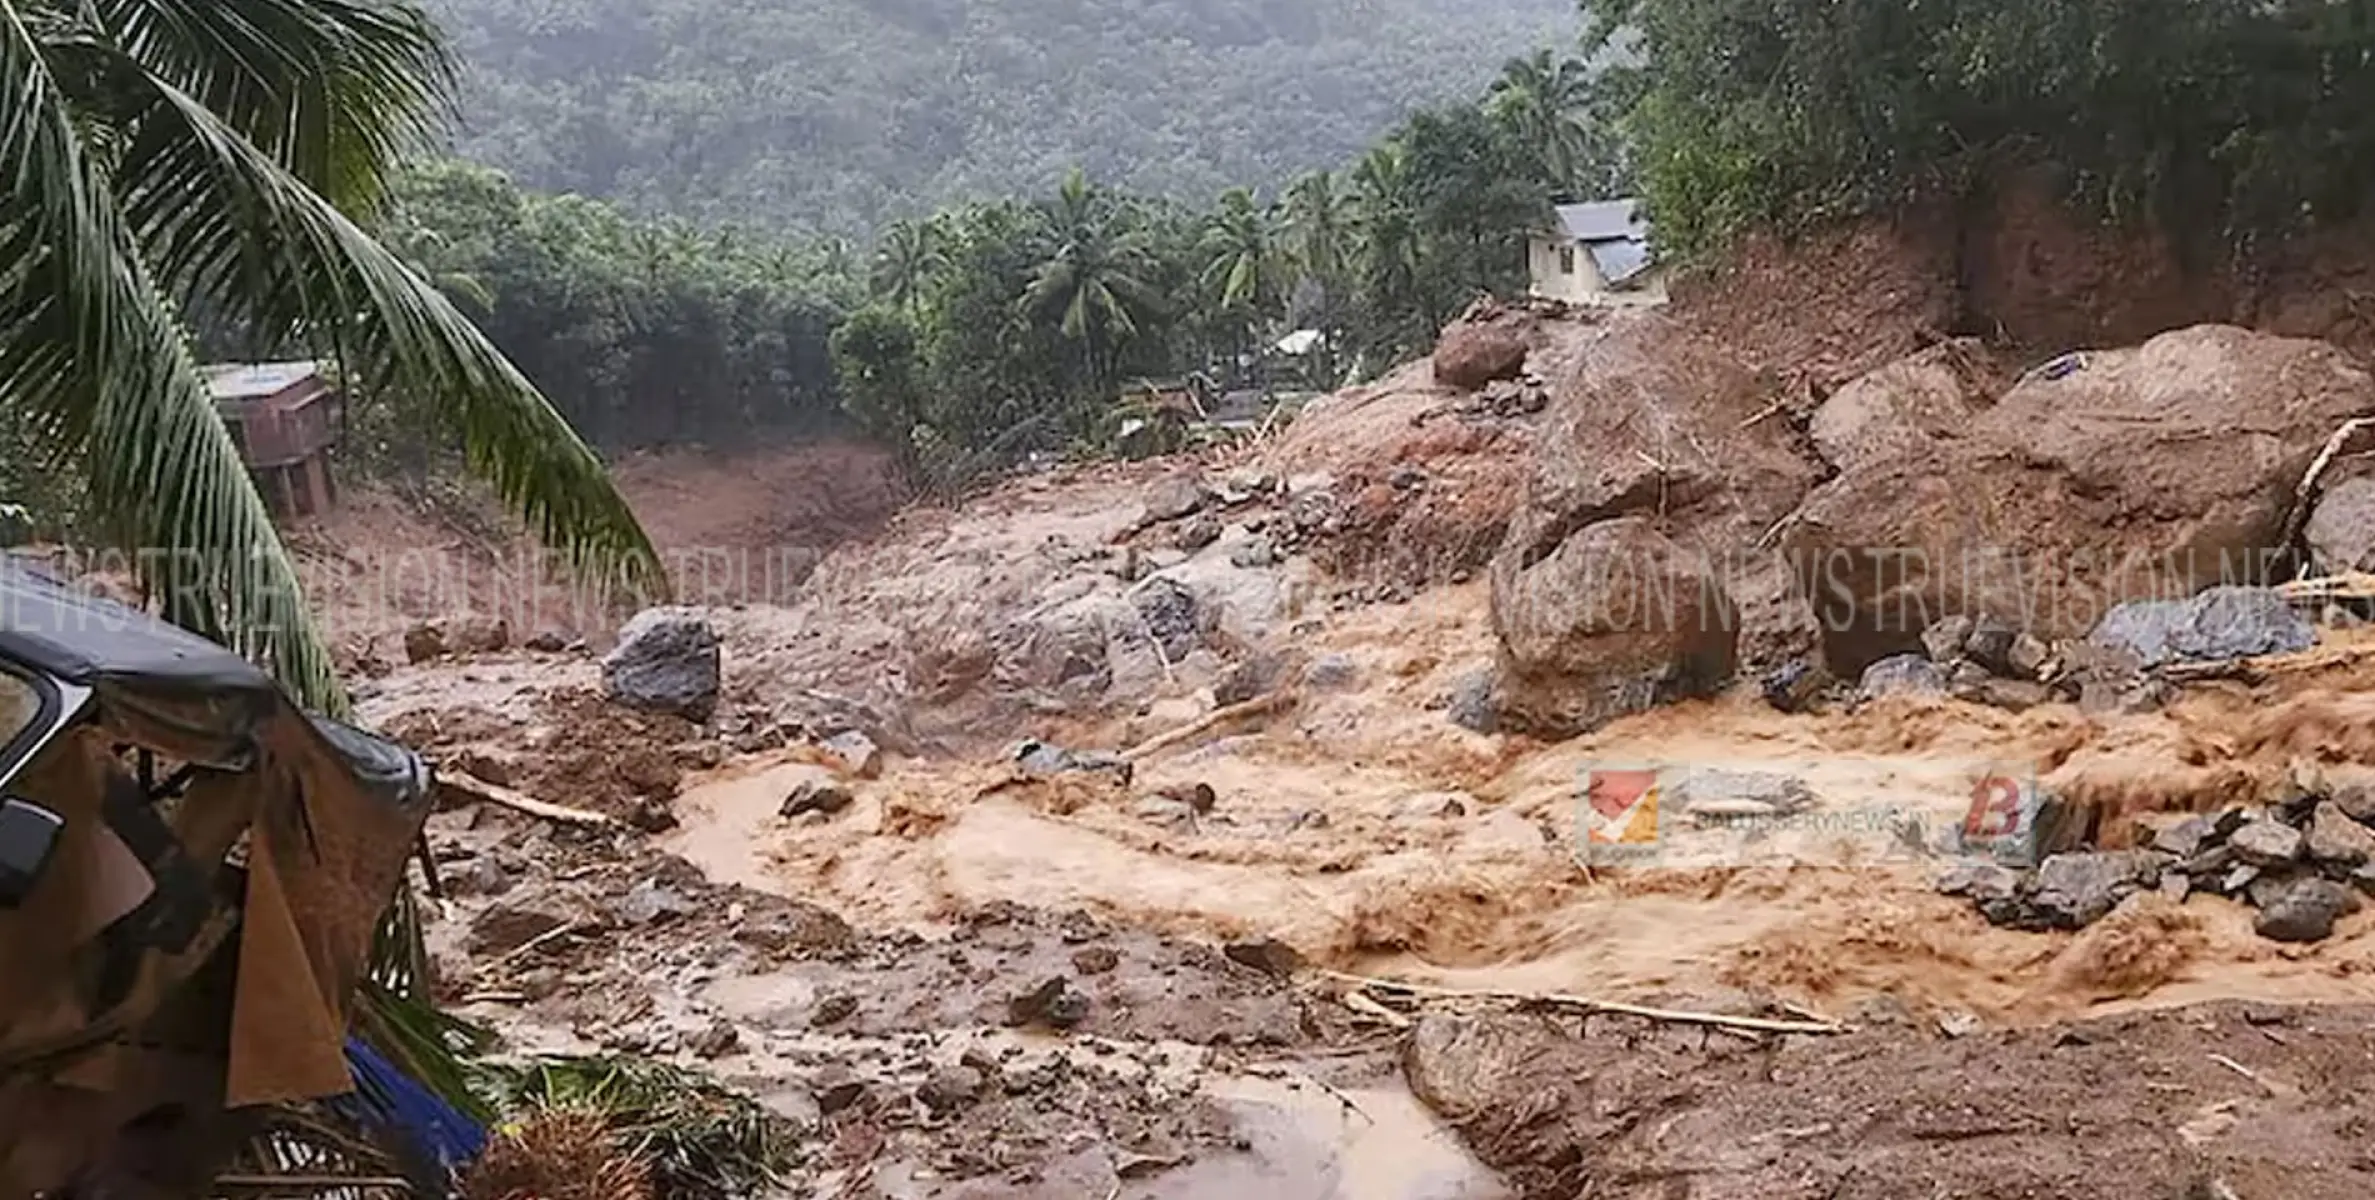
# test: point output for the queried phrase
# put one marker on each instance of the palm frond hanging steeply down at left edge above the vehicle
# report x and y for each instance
(99, 362)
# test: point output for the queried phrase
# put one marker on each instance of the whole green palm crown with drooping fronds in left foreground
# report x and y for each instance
(196, 156)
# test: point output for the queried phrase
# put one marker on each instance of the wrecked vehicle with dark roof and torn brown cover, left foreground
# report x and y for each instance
(191, 871)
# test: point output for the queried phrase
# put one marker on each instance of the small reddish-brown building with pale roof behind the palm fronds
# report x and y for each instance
(286, 419)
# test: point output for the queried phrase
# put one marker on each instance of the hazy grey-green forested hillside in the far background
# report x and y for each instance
(840, 115)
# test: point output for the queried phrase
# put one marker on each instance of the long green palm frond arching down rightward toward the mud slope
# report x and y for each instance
(229, 229)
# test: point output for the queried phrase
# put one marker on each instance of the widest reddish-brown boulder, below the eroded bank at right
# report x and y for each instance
(2151, 472)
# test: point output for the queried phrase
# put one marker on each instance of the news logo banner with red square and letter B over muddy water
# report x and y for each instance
(1714, 814)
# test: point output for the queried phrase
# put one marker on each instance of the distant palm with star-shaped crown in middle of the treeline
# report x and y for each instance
(1091, 277)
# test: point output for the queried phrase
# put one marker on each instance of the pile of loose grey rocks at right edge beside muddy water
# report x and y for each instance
(2303, 864)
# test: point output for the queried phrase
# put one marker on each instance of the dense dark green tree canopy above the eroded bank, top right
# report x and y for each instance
(2215, 118)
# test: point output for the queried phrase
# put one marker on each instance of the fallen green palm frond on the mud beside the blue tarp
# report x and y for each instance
(699, 1139)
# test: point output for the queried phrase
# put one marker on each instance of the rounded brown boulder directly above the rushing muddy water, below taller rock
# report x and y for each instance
(1611, 621)
